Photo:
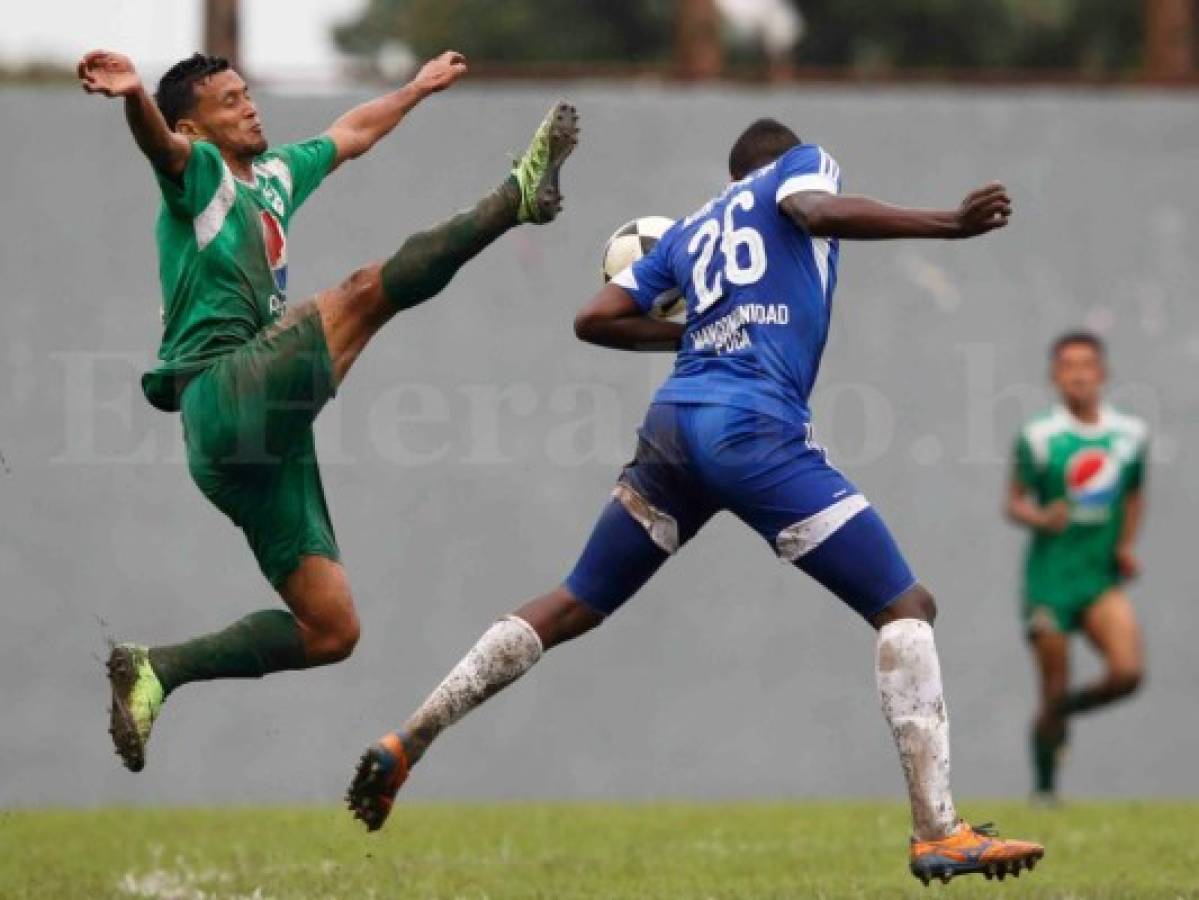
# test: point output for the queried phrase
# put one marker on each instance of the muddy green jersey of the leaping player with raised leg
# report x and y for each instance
(222, 256)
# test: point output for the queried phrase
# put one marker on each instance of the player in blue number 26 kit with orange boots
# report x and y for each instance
(731, 431)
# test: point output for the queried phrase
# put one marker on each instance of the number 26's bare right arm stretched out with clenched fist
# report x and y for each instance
(824, 215)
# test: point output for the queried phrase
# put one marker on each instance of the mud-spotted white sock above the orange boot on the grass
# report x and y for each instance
(911, 687)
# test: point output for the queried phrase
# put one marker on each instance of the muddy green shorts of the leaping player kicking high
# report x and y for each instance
(248, 426)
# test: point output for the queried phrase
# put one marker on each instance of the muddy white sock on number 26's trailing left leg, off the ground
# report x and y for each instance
(505, 653)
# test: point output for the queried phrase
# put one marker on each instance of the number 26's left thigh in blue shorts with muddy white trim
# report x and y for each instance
(655, 510)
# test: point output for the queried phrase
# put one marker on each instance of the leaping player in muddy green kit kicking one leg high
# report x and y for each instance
(249, 375)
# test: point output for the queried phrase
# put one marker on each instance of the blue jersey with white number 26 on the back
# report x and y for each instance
(758, 289)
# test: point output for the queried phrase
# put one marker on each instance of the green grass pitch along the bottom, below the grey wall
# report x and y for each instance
(828, 850)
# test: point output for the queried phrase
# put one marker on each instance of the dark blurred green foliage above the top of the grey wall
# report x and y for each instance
(1094, 37)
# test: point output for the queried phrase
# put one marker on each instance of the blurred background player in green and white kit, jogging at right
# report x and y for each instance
(1079, 486)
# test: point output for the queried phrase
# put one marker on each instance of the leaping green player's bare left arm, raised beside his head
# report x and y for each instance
(115, 76)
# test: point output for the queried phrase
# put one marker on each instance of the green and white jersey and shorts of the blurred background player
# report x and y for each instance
(1094, 468)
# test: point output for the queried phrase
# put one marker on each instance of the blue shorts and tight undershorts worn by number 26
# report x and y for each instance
(695, 461)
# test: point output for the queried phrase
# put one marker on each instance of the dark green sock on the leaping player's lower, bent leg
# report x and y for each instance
(262, 643)
